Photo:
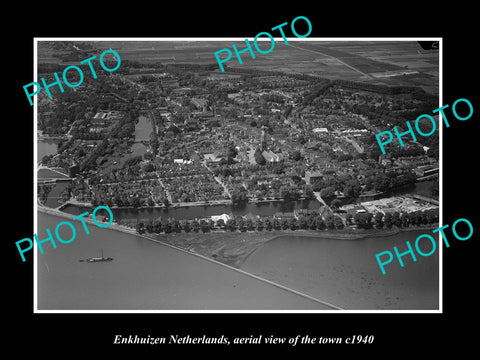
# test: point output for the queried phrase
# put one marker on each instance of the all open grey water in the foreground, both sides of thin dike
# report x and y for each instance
(147, 275)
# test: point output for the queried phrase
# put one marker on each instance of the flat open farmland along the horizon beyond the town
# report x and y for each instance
(377, 62)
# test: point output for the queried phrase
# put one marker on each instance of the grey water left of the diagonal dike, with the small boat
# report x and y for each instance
(144, 276)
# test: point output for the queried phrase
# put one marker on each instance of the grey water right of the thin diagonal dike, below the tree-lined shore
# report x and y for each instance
(346, 272)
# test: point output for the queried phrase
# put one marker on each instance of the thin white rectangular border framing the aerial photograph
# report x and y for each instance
(387, 311)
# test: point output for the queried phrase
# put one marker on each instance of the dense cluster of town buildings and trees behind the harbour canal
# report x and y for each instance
(215, 136)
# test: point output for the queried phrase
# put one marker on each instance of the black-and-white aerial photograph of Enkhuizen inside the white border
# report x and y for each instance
(261, 187)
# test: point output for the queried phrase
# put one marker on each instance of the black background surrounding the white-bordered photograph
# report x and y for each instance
(56, 335)
